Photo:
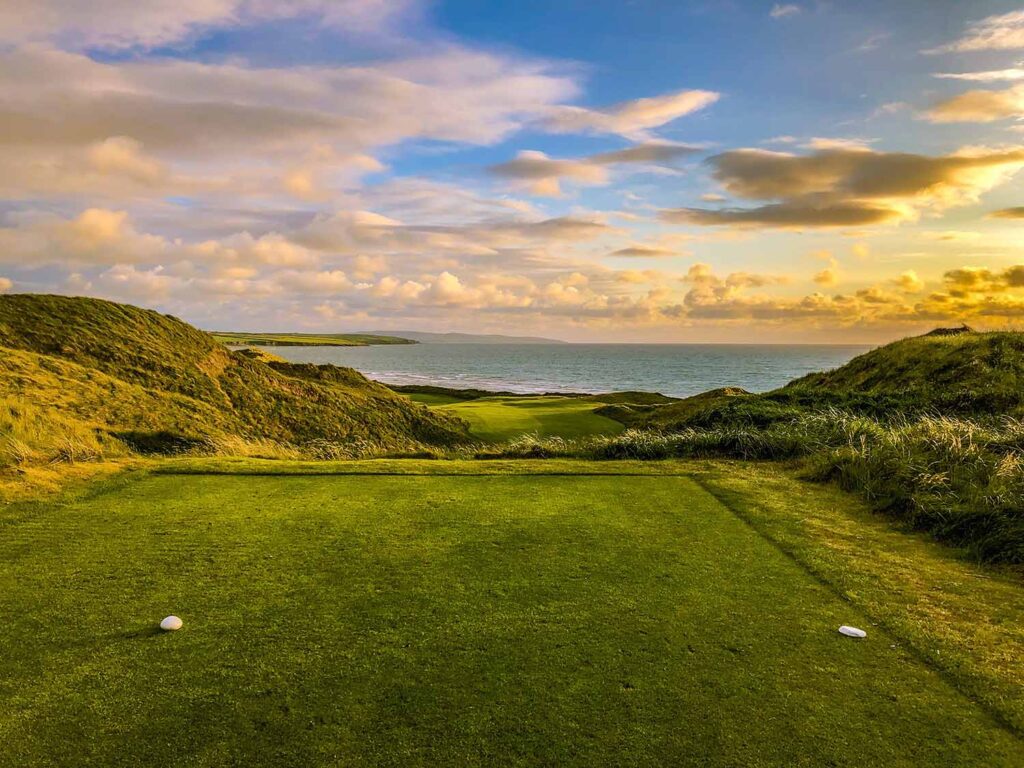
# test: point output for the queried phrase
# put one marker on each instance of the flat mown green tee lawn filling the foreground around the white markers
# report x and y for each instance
(450, 614)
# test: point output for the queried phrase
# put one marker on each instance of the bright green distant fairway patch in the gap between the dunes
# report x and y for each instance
(499, 419)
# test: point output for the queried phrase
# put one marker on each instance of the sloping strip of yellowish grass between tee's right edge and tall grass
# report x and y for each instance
(958, 616)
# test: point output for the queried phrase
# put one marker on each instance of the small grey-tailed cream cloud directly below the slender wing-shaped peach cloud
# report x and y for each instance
(542, 176)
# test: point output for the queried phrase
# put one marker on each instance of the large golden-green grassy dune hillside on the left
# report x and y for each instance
(101, 370)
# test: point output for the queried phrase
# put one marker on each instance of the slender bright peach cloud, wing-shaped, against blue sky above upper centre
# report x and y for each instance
(630, 119)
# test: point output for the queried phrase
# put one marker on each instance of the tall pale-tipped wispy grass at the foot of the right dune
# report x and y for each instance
(961, 481)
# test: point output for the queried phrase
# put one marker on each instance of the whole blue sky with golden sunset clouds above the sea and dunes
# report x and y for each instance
(590, 170)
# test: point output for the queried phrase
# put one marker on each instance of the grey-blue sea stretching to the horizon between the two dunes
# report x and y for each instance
(677, 370)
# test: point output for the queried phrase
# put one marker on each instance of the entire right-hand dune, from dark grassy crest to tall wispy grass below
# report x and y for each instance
(928, 430)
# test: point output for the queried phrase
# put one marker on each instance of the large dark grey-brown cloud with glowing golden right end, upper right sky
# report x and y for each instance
(847, 187)
